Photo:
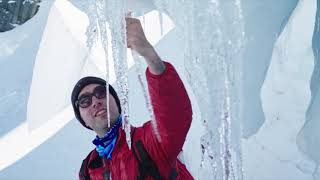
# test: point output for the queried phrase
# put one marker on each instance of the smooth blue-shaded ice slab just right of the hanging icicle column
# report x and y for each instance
(264, 21)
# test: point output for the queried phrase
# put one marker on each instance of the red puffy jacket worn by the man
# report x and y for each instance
(172, 109)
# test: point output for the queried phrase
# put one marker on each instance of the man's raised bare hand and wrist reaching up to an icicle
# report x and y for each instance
(137, 41)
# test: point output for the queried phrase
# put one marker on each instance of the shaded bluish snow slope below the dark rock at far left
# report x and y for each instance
(18, 50)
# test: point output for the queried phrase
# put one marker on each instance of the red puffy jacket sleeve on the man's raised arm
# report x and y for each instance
(172, 109)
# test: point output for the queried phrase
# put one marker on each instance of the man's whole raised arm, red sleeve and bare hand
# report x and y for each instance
(169, 98)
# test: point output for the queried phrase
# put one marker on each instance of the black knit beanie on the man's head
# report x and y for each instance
(80, 85)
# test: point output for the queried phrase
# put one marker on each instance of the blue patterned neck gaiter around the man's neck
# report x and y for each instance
(106, 144)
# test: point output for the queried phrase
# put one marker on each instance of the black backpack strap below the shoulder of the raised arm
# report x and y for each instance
(146, 165)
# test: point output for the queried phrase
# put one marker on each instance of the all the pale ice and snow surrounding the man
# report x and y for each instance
(251, 69)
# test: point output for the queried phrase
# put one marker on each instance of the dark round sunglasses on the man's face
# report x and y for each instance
(85, 100)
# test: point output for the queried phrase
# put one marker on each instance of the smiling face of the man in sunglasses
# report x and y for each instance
(95, 115)
